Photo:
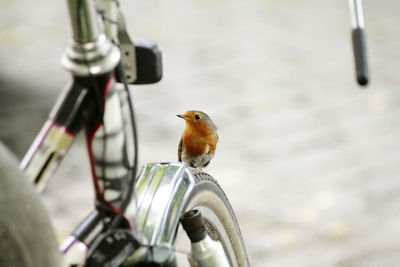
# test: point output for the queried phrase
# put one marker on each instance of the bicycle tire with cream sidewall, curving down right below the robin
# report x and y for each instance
(220, 220)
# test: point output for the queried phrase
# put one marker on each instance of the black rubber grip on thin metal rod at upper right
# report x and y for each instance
(360, 56)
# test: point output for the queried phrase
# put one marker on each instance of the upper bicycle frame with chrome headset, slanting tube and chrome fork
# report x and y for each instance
(91, 103)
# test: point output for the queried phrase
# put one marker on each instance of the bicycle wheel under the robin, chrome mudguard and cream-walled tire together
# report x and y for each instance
(165, 191)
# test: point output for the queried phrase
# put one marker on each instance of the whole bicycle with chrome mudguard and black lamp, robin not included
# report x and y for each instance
(136, 220)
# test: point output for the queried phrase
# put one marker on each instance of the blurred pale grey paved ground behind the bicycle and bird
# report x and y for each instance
(310, 162)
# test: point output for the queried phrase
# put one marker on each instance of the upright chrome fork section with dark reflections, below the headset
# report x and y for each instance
(111, 149)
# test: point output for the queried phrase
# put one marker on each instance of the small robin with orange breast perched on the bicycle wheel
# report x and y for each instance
(199, 139)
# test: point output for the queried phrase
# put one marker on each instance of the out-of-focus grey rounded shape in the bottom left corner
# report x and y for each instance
(26, 234)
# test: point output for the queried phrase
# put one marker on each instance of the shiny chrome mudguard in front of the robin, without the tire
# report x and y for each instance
(162, 191)
